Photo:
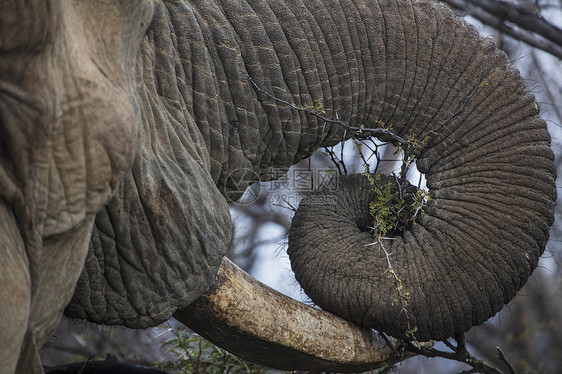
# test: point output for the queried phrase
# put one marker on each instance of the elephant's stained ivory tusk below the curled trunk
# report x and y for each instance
(264, 326)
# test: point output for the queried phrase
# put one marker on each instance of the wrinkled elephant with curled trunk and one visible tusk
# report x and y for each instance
(127, 126)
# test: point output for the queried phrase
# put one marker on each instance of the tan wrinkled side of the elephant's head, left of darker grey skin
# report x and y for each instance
(68, 125)
